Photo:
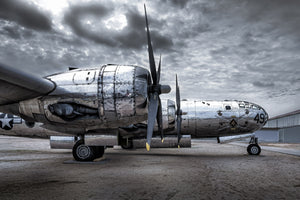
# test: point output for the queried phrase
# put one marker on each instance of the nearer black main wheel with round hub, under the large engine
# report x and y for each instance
(82, 152)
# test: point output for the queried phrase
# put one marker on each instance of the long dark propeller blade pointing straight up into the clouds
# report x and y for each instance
(150, 52)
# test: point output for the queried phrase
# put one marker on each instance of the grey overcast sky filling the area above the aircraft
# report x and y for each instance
(231, 49)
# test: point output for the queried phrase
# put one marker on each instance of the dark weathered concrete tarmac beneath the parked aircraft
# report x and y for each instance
(30, 170)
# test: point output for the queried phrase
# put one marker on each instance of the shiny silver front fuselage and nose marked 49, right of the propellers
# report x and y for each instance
(221, 118)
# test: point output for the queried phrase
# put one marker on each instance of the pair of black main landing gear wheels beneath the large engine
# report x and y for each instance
(82, 152)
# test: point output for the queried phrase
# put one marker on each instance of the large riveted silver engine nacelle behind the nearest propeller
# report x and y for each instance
(106, 97)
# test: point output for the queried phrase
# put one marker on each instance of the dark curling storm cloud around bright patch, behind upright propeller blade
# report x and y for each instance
(132, 36)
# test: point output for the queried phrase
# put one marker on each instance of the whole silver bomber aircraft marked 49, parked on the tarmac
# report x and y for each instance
(93, 104)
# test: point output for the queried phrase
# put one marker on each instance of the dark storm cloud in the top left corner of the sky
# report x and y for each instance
(24, 14)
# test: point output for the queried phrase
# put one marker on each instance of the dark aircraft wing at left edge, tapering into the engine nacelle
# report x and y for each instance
(16, 85)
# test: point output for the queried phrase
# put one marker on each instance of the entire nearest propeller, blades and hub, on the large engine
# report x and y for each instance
(154, 90)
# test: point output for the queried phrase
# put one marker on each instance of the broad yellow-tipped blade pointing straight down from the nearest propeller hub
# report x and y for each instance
(152, 112)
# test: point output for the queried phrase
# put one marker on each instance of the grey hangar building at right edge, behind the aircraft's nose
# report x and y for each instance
(283, 128)
